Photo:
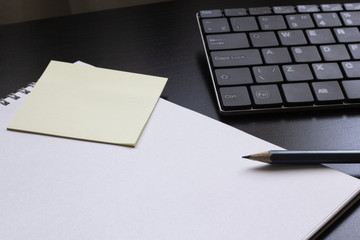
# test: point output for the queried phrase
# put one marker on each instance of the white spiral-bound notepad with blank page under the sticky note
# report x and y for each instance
(185, 179)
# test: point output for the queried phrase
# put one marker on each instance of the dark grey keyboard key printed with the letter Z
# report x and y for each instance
(297, 72)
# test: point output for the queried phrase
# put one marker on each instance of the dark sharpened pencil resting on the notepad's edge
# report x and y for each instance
(306, 157)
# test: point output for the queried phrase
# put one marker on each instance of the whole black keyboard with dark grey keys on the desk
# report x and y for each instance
(283, 58)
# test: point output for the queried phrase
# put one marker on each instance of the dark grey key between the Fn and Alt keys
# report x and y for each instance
(297, 93)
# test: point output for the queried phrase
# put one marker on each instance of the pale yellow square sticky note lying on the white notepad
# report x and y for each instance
(89, 103)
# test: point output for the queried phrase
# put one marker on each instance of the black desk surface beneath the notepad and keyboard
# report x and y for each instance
(163, 40)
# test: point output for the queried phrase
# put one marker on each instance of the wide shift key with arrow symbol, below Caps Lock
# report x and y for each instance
(233, 76)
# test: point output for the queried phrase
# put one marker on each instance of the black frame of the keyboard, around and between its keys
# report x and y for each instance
(253, 108)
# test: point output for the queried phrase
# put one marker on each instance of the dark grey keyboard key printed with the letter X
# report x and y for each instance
(325, 71)
